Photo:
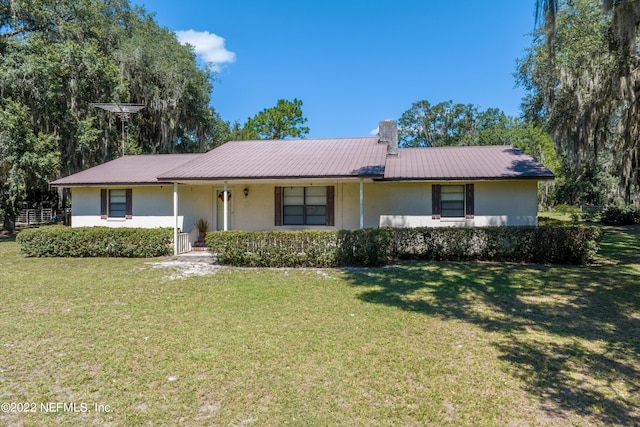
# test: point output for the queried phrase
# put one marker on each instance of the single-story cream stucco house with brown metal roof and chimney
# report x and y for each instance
(342, 183)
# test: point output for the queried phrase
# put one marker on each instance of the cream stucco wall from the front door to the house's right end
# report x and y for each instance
(393, 204)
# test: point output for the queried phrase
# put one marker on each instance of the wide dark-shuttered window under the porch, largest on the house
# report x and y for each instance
(304, 205)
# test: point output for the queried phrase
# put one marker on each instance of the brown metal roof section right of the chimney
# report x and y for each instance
(470, 162)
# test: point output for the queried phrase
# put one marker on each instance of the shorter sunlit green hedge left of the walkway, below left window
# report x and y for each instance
(61, 241)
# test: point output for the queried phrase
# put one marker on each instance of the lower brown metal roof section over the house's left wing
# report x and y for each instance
(142, 169)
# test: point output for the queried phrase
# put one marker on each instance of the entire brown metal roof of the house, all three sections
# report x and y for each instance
(315, 158)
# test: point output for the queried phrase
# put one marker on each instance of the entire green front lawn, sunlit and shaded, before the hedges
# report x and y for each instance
(412, 344)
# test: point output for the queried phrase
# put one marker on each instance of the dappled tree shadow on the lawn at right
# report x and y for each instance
(572, 334)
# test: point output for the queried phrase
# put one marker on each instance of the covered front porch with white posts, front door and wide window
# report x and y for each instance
(259, 205)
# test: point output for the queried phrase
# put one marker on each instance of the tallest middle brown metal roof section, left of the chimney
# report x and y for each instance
(273, 159)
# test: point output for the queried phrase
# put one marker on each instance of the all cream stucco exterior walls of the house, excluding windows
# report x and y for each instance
(386, 204)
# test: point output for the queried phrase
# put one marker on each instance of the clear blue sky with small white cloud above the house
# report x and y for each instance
(352, 62)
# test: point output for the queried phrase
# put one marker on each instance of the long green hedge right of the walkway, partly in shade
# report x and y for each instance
(544, 245)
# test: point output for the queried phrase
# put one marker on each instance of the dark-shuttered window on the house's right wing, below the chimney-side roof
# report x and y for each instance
(452, 201)
